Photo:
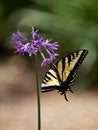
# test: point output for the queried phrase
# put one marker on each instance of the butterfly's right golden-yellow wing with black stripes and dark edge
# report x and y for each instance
(68, 63)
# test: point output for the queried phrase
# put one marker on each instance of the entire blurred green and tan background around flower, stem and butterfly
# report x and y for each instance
(74, 25)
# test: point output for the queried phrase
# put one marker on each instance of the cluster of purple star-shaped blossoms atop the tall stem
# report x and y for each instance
(36, 44)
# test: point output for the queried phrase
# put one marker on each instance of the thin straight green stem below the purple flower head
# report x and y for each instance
(38, 93)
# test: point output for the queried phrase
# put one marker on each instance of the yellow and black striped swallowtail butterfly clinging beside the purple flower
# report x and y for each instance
(61, 75)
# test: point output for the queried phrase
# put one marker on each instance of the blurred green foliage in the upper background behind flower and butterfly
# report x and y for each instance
(72, 23)
